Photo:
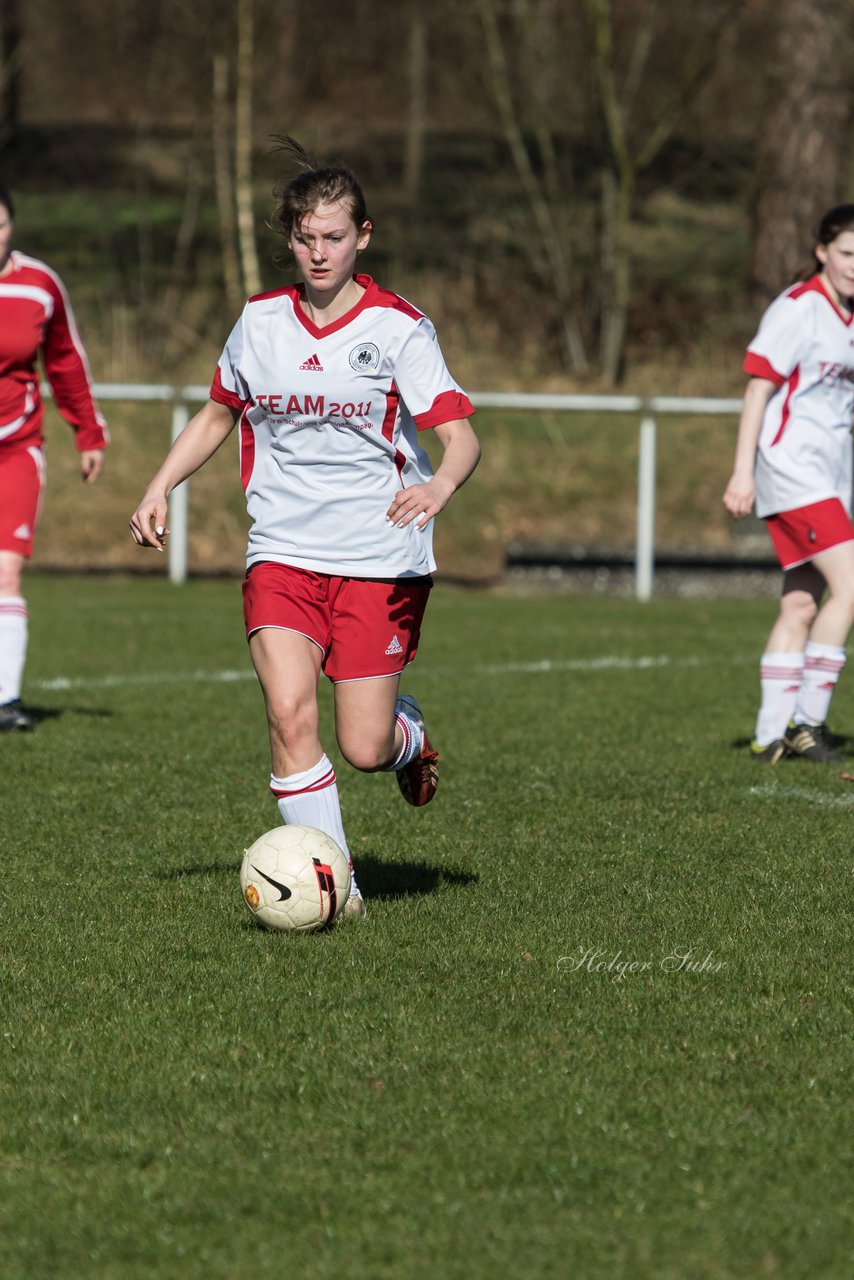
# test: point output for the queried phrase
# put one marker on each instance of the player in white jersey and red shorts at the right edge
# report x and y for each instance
(794, 458)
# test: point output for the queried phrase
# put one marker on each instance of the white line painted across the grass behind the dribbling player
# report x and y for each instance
(544, 668)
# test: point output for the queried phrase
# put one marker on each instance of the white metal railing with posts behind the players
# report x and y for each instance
(646, 408)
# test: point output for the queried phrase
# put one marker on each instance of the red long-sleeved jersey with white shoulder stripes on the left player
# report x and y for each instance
(36, 316)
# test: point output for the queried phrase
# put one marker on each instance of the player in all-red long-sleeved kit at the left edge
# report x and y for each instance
(35, 319)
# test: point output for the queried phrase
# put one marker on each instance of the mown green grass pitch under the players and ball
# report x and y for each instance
(596, 1023)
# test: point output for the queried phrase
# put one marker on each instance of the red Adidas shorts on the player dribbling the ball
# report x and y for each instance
(367, 628)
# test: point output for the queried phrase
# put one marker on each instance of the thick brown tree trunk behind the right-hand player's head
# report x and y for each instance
(803, 149)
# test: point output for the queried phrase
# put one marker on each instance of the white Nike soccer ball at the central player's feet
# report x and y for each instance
(295, 879)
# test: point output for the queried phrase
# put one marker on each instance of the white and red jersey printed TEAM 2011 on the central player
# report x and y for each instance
(328, 432)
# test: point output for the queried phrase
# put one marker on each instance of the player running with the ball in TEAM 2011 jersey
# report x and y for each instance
(331, 382)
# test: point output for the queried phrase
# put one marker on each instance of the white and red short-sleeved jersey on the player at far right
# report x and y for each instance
(806, 348)
